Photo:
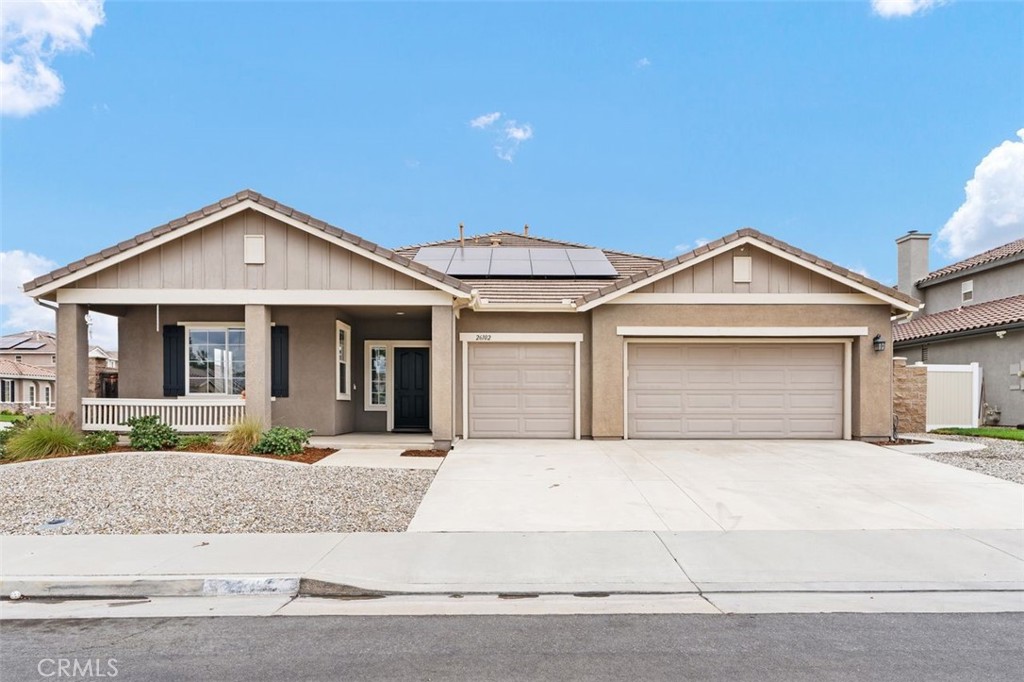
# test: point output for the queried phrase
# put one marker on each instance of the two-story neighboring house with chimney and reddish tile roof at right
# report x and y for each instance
(973, 313)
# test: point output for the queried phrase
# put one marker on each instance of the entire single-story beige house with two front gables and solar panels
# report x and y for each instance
(503, 335)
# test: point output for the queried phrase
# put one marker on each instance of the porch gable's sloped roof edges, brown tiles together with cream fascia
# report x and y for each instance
(239, 201)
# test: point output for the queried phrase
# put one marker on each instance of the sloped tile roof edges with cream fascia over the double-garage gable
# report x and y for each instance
(744, 236)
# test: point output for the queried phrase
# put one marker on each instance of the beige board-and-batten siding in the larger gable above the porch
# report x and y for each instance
(212, 259)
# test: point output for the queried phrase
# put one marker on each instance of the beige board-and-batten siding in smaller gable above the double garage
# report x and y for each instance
(771, 275)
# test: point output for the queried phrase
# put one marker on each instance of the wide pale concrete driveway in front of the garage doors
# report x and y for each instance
(525, 486)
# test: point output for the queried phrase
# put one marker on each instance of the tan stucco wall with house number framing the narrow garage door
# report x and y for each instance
(578, 323)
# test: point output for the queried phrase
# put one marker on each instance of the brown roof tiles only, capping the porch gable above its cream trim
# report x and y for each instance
(245, 195)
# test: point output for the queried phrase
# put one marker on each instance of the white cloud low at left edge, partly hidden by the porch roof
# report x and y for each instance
(19, 313)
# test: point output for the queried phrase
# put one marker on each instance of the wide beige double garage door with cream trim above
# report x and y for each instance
(742, 391)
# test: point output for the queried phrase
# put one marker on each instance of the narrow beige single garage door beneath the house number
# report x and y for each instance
(522, 391)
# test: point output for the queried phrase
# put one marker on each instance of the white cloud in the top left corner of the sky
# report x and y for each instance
(33, 33)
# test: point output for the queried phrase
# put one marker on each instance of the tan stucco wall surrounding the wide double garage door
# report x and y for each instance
(872, 414)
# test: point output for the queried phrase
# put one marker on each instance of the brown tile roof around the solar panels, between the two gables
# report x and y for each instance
(529, 291)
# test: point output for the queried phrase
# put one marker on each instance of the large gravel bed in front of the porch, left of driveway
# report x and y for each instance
(178, 493)
